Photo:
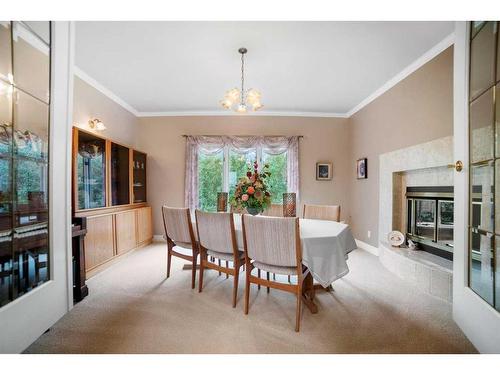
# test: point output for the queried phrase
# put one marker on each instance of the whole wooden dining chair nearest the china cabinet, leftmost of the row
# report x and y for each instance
(179, 234)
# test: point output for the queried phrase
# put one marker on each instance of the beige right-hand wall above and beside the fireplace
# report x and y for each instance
(416, 110)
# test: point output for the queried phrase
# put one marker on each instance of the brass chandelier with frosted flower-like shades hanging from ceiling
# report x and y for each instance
(241, 100)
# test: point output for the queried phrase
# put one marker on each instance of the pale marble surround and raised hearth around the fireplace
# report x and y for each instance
(420, 165)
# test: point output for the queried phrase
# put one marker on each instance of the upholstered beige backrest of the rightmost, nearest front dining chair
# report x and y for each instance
(272, 240)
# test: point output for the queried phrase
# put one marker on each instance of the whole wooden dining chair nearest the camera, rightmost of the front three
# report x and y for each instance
(272, 244)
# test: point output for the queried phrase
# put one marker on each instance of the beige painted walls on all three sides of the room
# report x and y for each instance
(416, 110)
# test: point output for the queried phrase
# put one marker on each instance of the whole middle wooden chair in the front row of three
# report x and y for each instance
(217, 239)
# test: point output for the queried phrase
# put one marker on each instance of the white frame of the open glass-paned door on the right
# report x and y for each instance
(478, 320)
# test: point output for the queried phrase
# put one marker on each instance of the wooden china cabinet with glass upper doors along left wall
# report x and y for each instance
(109, 190)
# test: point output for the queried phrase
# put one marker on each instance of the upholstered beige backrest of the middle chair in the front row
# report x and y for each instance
(215, 231)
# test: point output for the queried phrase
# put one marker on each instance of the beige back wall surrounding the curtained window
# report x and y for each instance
(325, 139)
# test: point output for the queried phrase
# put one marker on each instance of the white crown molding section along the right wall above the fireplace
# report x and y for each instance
(422, 60)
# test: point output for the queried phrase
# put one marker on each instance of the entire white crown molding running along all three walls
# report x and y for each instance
(418, 63)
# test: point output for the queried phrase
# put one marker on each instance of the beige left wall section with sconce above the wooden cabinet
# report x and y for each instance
(89, 103)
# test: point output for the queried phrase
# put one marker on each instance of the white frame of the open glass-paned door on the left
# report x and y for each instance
(23, 320)
